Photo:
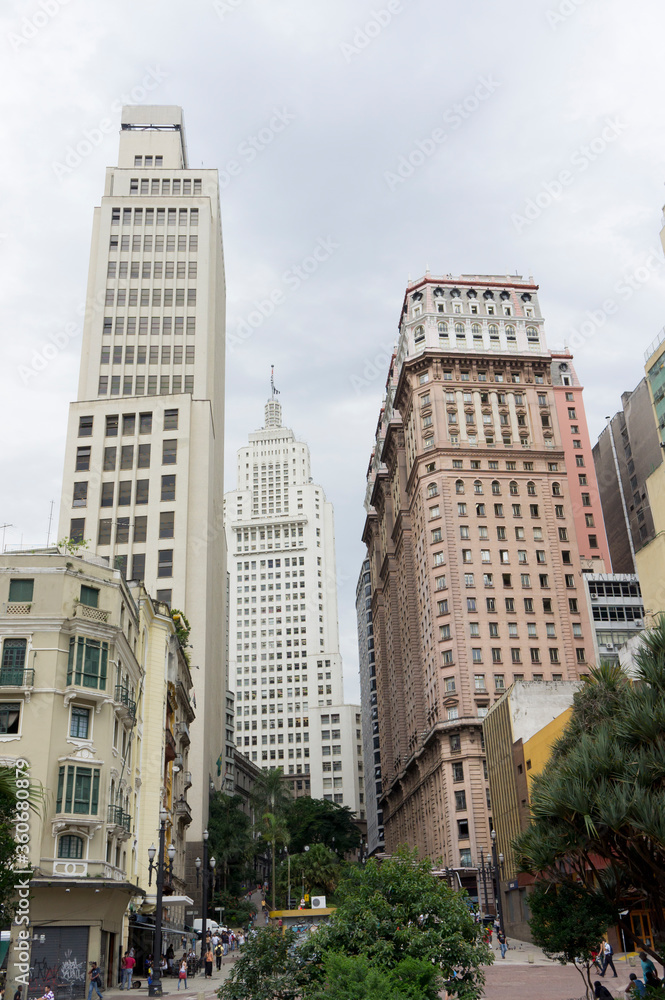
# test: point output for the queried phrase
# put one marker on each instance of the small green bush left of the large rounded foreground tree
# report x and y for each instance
(269, 968)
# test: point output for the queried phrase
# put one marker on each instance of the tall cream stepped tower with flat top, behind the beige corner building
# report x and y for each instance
(143, 480)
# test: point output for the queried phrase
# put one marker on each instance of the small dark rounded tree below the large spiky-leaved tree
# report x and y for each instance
(568, 923)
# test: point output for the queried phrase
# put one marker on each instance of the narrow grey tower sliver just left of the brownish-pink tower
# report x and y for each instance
(370, 712)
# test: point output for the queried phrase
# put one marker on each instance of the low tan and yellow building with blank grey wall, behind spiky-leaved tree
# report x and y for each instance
(519, 731)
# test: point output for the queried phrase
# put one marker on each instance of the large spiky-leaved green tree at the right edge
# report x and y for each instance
(598, 807)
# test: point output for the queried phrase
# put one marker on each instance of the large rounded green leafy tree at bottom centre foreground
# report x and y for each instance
(395, 910)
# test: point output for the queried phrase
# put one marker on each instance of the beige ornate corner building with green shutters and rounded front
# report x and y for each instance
(95, 696)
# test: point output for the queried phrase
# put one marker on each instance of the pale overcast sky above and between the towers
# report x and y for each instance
(547, 159)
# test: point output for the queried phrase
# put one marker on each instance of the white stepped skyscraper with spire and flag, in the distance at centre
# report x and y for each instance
(284, 637)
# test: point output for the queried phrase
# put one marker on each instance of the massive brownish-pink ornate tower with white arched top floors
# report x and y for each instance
(471, 541)
